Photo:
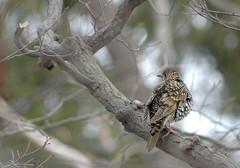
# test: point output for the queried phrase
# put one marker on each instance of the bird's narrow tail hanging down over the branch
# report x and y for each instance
(156, 129)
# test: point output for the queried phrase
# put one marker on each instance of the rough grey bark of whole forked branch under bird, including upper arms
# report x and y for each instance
(85, 70)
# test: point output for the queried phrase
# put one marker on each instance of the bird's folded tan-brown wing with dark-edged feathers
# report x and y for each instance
(173, 96)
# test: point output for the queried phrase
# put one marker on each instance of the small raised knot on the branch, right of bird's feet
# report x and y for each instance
(188, 143)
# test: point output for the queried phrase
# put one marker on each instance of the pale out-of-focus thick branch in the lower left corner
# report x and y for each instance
(70, 155)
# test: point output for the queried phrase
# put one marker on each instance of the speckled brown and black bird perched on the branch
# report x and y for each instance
(169, 102)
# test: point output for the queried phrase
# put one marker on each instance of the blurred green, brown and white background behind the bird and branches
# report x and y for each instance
(158, 34)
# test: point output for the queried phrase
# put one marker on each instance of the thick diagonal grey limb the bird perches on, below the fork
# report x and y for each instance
(186, 149)
